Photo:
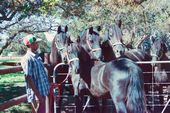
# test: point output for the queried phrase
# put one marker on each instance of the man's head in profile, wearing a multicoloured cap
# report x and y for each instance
(31, 42)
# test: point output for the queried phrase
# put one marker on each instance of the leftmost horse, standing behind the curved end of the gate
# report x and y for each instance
(58, 56)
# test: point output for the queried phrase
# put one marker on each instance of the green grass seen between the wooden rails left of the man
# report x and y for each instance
(13, 85)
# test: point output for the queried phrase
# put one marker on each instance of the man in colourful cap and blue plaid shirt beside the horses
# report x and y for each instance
(37, 83)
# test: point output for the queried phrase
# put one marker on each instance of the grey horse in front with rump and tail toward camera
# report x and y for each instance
(121, 78)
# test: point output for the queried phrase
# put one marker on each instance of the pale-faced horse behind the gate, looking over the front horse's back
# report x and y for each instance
(113, 38)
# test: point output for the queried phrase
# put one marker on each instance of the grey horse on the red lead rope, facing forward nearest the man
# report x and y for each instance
(74, 67)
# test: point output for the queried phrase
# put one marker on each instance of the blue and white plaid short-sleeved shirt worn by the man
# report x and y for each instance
(33, 66)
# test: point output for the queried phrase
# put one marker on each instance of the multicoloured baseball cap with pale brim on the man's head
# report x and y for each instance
(29, 39)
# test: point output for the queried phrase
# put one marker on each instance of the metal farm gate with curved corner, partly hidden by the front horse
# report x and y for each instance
(66, 104)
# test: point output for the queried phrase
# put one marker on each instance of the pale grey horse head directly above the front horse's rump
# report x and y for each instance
(114, 36)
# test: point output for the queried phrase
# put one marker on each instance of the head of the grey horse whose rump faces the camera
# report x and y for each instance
(90, 42)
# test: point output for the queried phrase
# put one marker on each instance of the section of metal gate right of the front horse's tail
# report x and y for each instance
(154, 102)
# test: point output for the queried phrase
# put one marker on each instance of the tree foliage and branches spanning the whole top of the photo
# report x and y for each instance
(141, 17)
